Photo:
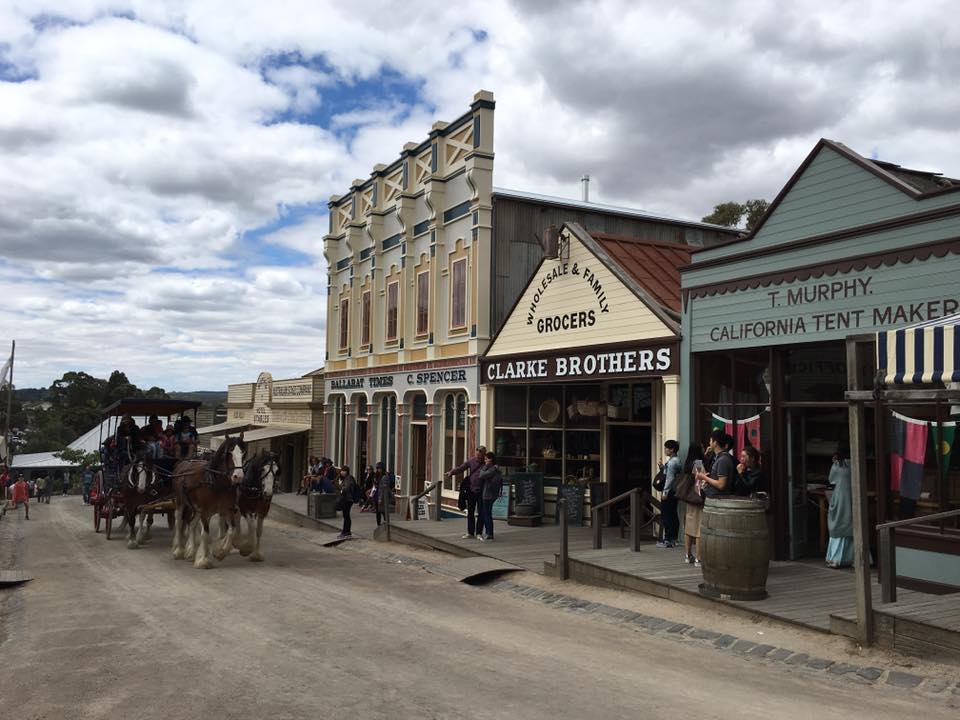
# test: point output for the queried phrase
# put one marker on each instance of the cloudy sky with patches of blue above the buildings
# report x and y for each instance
(165, 166)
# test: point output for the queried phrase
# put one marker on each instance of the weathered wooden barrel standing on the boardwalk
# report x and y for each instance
(735, 549)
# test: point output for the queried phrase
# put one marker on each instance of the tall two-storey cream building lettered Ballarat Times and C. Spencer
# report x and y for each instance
(426, 259)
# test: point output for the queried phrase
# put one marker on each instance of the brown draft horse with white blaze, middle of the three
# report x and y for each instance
(202, 490)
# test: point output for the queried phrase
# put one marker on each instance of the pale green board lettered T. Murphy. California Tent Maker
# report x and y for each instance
(827, 308)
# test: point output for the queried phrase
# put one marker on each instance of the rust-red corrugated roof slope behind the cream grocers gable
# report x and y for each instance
(654, 265)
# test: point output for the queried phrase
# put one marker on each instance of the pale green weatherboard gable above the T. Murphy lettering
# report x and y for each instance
(833, 194)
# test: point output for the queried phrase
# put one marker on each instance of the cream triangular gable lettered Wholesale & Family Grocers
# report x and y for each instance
(586, 287)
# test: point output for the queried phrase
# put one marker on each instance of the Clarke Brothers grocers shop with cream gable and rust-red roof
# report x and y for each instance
(581, 383)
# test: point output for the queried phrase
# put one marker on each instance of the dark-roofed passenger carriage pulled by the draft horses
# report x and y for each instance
(125, 467)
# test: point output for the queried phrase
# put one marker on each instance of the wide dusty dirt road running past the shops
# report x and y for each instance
(104, 631)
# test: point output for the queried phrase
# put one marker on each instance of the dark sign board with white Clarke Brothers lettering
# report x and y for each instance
(601, 362)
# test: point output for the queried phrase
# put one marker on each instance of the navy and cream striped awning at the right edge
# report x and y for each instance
(927, 352)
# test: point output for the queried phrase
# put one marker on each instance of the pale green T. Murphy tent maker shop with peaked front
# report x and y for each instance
(849, 247)
